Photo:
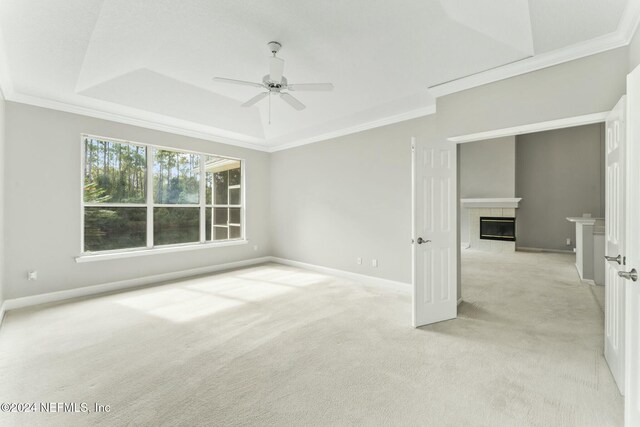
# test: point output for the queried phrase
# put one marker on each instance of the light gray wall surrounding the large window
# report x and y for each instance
(42, 203)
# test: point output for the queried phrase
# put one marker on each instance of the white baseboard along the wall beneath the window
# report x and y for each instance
(12, 304)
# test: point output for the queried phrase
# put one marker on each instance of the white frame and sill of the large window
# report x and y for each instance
(149, 205)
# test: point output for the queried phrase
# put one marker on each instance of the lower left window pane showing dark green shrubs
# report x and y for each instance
(114, 228)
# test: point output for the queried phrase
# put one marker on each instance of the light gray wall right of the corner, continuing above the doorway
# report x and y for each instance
(332, 218)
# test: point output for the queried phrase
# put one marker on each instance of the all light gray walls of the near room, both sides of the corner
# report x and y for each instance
(362, 208)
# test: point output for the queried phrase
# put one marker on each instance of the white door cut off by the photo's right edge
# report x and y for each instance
(632, 323)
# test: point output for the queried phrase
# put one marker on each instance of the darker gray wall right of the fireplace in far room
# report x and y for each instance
(559, 173)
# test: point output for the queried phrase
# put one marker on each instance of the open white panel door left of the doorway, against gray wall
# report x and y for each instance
(435, 227)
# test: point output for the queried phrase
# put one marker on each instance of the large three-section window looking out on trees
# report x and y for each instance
(139, 196)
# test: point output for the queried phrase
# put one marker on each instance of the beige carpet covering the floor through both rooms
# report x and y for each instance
(274, 345)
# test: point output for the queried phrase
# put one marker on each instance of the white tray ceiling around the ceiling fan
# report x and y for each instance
(153, 60)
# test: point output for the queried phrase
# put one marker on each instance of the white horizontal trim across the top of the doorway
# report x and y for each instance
(586, 119)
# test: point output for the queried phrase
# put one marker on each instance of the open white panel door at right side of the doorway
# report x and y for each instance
(615, 238)
